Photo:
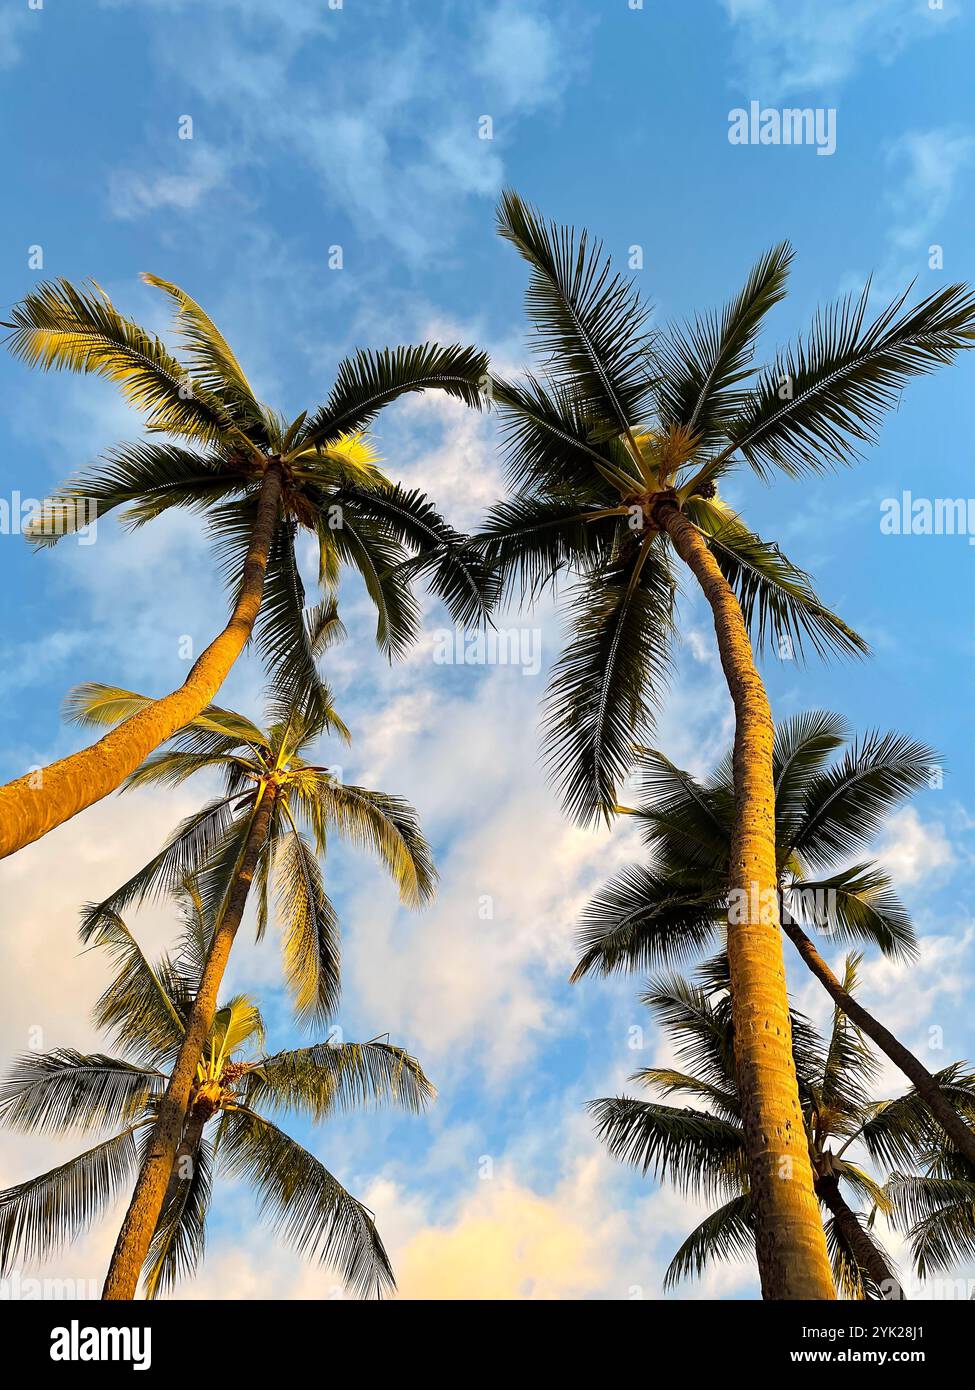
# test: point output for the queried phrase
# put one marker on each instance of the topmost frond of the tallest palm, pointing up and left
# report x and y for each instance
(590, 325)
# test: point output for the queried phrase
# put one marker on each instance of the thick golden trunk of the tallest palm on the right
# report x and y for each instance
(789, 1238)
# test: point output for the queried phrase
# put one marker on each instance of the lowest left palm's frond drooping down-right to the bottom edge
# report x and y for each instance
(308, 1207)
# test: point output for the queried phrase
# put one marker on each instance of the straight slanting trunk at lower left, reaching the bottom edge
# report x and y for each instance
(147, 1204)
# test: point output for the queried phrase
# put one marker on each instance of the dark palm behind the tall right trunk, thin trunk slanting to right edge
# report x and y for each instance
(824, 818)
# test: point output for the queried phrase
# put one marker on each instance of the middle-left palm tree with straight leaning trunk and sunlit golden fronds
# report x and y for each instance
(268, 829)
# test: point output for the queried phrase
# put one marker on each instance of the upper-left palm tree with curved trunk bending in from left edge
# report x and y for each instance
(258, 479)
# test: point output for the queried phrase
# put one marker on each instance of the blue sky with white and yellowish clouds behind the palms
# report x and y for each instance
(322, 177)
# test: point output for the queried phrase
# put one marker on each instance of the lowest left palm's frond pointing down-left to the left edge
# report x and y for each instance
(44, 1214)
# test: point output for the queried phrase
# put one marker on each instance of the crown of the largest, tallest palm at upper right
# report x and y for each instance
(621, 420)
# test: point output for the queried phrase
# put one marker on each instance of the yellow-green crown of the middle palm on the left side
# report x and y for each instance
(308, 801)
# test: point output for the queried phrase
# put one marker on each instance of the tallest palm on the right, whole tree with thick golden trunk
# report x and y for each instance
(615, 454)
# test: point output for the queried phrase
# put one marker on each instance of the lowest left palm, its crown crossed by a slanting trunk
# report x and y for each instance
(237, 1092)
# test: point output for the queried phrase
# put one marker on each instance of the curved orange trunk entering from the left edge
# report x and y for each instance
(42, 800)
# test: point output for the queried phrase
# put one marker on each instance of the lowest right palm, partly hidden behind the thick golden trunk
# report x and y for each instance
(703, 1149)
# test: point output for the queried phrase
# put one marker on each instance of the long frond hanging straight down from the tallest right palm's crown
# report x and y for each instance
(604, 687)
